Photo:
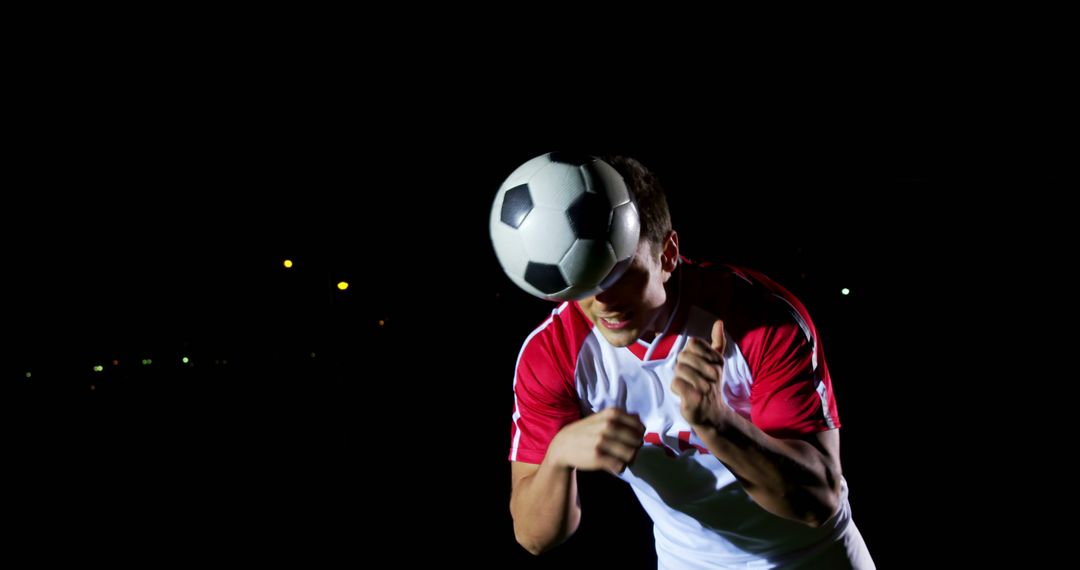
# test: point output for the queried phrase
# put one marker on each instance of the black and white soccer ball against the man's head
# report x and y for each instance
(564, 226)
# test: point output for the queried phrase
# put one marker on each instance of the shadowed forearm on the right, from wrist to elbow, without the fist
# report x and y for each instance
(789, 478)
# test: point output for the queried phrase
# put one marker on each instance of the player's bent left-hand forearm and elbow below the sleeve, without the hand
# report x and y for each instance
(545, 508)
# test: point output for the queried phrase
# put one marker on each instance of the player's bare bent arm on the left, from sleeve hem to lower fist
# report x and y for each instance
(545, 498)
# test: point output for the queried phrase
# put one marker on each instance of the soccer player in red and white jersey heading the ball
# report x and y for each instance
(706, 389)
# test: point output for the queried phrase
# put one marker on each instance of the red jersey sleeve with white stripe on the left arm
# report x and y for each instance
(545, 397)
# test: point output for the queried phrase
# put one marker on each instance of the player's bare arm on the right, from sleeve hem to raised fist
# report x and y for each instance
(794, 479)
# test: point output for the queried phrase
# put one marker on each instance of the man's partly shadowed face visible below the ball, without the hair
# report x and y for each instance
(627, 309)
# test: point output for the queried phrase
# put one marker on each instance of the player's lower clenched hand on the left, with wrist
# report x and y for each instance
(609, 440)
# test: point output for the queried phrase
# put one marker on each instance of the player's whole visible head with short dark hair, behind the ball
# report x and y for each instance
(631, 307)
